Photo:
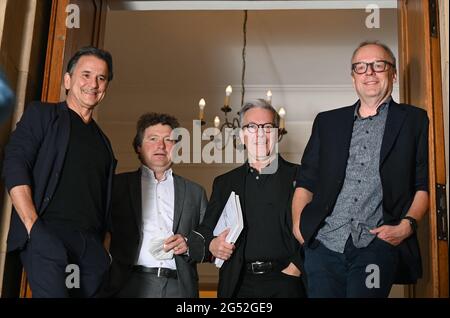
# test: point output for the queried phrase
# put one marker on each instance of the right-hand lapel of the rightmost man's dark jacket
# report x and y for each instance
(394, 122)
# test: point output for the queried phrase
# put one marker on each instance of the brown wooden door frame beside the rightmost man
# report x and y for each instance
(433, 104)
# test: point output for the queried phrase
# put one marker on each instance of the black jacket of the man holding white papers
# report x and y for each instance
(235, 181)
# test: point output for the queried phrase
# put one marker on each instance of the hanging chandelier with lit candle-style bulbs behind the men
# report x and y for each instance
(234, 123)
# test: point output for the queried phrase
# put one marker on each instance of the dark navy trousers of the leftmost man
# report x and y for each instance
(62, 262)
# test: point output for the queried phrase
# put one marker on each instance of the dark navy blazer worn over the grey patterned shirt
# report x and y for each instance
(403, 171)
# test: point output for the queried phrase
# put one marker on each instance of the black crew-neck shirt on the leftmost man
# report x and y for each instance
(80, 197)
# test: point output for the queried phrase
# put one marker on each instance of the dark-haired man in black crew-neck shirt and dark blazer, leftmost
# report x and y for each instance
(58, 169)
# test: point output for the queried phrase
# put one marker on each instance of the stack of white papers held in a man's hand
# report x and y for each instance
(231, 218)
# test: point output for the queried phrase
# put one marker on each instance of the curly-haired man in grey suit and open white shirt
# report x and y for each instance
(154, 212)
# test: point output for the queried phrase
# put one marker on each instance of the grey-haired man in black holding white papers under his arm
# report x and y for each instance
(266, 259)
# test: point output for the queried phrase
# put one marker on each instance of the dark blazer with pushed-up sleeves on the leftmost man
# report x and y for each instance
(35, 156)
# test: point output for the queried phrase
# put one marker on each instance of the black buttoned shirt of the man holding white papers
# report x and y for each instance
(263, 219)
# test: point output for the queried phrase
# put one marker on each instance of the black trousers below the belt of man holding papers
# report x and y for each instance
(270, 285)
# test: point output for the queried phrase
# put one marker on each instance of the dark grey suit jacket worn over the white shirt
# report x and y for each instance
(126, 238)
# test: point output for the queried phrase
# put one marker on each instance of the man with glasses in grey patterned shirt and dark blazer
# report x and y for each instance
(363, 186)
